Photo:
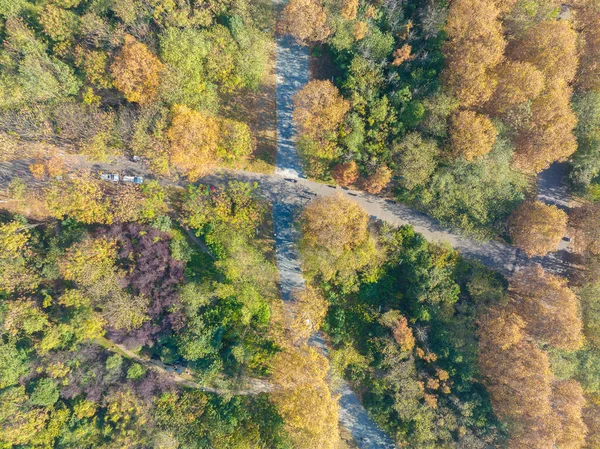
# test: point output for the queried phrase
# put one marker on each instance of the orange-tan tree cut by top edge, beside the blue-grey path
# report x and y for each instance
(306, 20)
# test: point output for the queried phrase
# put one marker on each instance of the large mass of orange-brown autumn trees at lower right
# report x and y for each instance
(540, 411)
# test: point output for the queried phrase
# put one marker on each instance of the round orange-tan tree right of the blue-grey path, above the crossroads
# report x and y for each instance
(319, 109)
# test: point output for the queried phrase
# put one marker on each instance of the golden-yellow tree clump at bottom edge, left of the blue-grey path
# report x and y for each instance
(309, 410)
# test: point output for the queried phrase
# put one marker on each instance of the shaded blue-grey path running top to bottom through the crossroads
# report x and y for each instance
(293, 72)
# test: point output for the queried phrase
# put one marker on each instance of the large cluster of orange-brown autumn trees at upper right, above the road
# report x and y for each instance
(538, 67)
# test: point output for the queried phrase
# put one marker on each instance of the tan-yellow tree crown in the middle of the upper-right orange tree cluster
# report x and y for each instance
(518, 82)
